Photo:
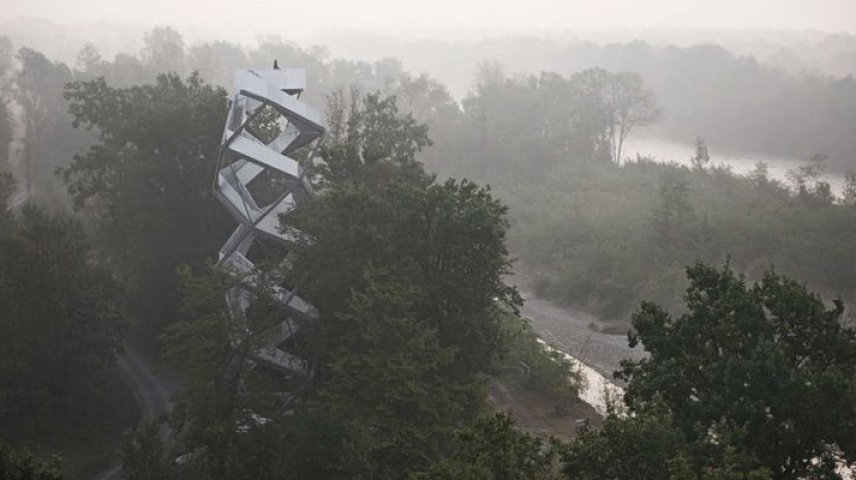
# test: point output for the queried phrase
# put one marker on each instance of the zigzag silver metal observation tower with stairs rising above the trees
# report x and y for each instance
(245, 155)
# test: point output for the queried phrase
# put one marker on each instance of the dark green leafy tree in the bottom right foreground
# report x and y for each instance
(750, 379)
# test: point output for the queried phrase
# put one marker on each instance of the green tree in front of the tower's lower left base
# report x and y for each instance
(228, 421)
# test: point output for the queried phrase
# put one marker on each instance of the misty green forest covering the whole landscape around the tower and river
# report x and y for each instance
(429, 208)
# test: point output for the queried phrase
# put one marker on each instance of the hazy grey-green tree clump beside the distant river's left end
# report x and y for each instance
(525, 123)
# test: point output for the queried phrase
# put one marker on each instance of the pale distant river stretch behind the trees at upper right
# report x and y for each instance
(663, 150)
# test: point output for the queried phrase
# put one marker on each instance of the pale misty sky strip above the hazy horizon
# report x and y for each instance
(403, 16)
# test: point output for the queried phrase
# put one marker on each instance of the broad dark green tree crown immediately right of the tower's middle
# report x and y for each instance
(446, 240)
